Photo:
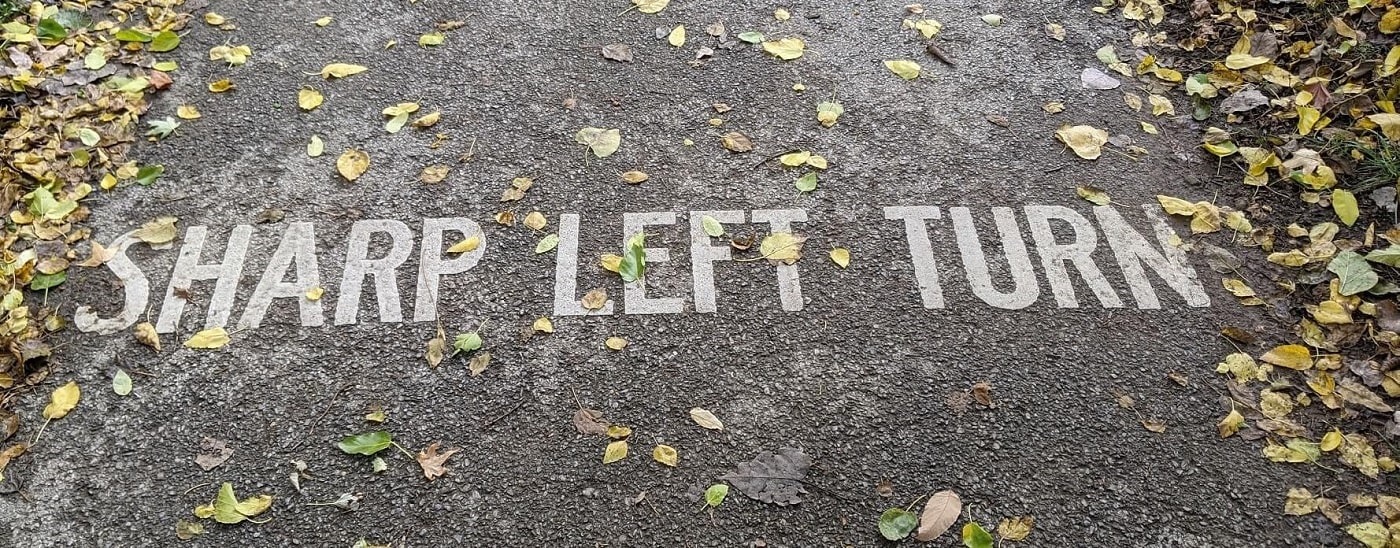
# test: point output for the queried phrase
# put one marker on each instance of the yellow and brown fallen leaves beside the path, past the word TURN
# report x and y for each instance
(1298, 100)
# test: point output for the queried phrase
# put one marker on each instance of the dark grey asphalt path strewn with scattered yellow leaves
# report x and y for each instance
(862, 368)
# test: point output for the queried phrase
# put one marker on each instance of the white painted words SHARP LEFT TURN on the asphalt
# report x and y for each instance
(1063, 239)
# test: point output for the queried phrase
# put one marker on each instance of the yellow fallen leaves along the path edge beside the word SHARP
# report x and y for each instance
(76, 79)
